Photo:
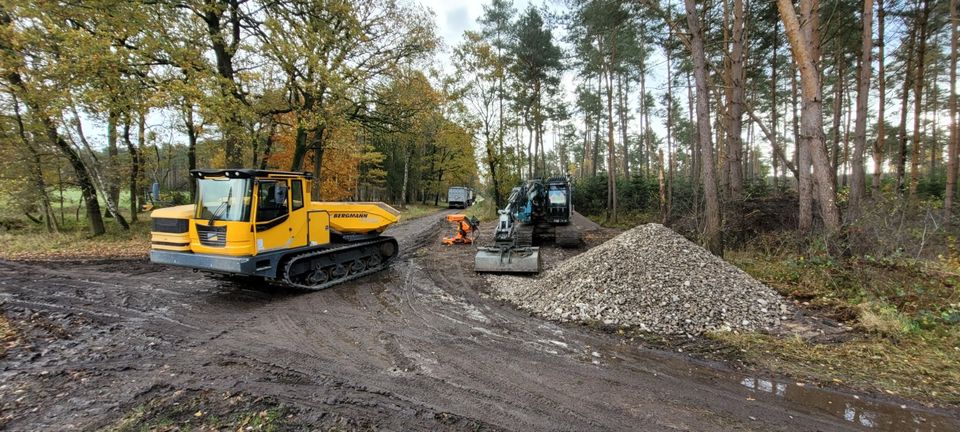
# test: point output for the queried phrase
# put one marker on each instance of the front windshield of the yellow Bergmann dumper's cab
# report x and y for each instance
(223, 199)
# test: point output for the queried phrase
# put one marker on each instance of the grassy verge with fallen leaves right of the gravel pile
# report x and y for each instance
(905, 315)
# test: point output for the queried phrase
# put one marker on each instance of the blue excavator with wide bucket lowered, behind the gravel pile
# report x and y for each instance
(538, 211)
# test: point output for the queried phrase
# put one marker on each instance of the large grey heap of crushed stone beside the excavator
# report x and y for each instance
(653, 279)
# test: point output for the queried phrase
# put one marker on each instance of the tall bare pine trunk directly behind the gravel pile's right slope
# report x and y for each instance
(712, 238)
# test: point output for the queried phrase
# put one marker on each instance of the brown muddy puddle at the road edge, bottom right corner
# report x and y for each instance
(858, 412)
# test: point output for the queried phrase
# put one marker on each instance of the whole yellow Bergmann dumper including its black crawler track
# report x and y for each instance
(262, 223)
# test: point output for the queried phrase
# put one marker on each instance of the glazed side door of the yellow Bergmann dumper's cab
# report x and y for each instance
(274, 224)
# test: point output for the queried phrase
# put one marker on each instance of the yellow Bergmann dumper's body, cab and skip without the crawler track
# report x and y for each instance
(245, 214)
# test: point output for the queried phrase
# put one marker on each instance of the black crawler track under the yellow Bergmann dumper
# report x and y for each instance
(321, 269)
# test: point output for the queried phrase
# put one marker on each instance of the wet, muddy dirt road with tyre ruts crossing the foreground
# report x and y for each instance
(419, 347)
